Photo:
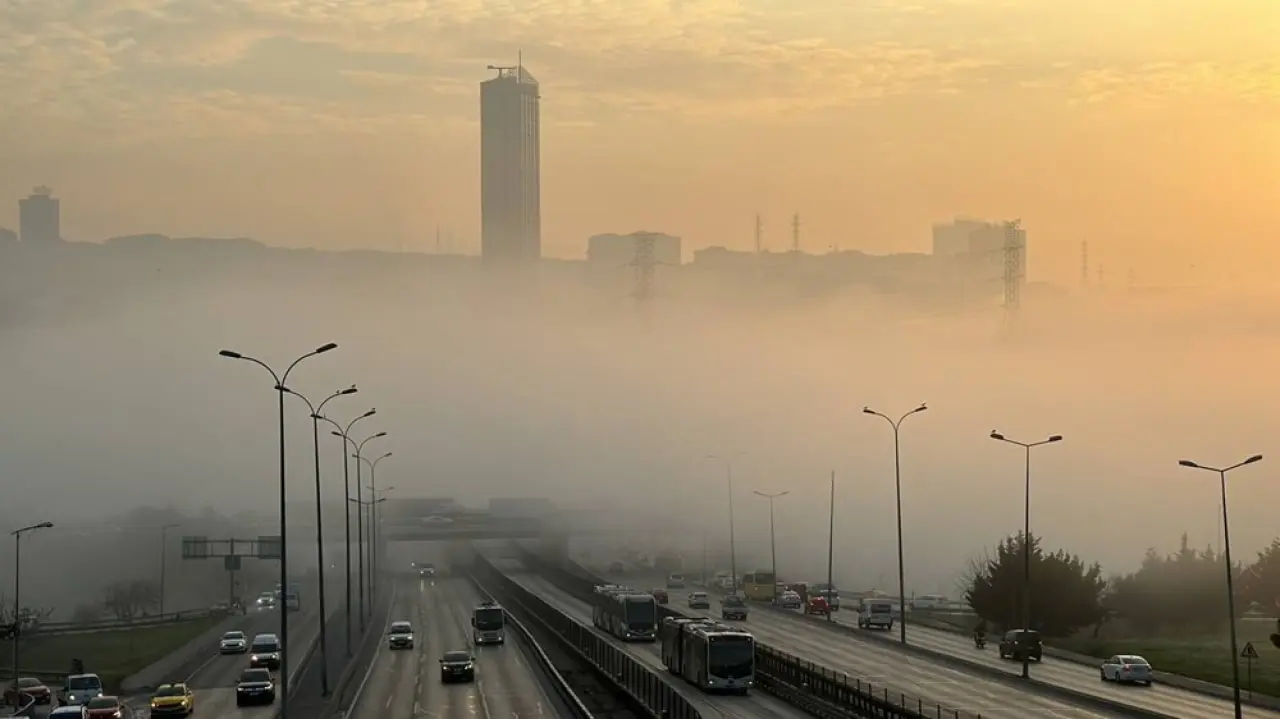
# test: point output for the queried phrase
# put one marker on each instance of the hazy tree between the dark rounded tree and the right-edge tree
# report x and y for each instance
(1182, 592)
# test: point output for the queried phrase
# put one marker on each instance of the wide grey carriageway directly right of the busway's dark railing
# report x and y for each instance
(888, 667)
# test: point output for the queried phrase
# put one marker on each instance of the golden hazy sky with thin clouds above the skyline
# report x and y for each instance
(1148, 127)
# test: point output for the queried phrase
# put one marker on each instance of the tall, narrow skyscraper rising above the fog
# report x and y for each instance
(510, 159)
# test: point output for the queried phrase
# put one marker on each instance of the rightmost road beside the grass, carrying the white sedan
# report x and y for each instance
(1163, 699)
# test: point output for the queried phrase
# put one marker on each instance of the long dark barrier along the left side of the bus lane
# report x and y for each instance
(646, 689)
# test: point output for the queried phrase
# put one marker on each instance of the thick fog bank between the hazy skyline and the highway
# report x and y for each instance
(561, 390)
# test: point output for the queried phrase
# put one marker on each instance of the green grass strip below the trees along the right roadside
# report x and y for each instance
(1200, 657)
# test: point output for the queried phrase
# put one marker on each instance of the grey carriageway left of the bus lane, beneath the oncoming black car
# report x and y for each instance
(510, 684)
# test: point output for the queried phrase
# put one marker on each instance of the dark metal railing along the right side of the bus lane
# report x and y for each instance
(789, 677)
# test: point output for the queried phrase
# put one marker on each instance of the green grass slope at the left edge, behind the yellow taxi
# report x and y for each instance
(113, 656)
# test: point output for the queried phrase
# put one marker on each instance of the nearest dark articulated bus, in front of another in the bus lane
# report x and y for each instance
(711, 656)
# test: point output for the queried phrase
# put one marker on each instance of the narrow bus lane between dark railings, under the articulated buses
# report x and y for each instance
(758, 704)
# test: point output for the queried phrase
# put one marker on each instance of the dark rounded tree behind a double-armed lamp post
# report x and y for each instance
(1067, 594)
